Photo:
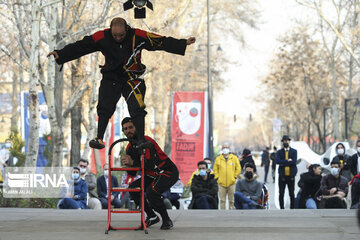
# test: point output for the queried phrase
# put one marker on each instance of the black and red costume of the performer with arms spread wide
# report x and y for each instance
(122, 71)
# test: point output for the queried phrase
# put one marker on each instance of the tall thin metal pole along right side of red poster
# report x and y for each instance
(211, 146)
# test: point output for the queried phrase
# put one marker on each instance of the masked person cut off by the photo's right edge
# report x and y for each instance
(355, 182)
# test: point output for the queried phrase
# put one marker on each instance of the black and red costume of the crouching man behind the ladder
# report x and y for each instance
(160, 175)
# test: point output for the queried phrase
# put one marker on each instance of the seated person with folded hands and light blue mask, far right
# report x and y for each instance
(334, 188)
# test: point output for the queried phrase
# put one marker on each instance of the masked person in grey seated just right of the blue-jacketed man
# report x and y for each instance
(90, 179)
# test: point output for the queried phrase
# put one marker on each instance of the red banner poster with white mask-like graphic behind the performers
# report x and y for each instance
(189, 131)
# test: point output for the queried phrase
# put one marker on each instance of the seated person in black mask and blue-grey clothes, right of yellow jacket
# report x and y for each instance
(248, 190)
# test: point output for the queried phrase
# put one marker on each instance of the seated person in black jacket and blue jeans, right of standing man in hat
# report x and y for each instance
(310, 187)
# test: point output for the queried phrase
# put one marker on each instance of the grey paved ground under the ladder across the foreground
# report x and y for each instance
(38, 224)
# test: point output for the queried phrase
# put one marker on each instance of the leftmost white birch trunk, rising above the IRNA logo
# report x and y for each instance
(33, 141)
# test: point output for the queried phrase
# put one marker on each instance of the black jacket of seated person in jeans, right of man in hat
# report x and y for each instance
(310, 187)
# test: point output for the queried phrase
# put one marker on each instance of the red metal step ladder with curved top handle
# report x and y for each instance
(142, 225)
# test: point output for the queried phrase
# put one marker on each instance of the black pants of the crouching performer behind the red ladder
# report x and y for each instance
(154, 187)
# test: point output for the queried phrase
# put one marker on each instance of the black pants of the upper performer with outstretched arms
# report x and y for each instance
(110, 91)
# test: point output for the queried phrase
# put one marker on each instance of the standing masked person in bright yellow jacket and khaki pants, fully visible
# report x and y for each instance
(226, 169)
